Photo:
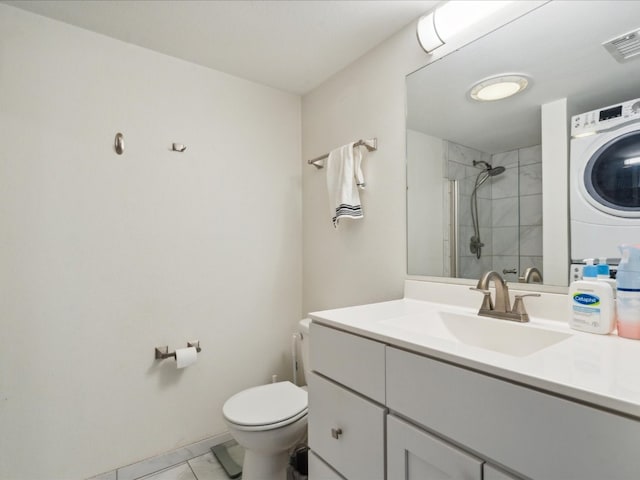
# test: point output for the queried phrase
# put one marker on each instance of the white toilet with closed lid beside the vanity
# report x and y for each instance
(269, 420)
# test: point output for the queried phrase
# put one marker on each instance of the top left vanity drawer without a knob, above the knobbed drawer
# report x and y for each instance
(353, 361)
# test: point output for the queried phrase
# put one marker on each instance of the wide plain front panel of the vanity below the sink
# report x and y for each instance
(539, 435)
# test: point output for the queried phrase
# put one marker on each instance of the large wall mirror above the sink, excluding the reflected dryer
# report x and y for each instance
(474, 169)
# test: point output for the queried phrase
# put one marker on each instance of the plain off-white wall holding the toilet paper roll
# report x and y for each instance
(105, 257)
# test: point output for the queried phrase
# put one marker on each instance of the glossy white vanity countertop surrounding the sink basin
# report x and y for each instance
(601, 370)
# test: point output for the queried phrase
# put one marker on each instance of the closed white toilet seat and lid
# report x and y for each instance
(266, 407)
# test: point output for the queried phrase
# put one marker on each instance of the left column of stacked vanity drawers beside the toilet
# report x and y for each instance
(346, 406)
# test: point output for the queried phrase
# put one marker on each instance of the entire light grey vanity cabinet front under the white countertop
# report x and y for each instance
(377, 412)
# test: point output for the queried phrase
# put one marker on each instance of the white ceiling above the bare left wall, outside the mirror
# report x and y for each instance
(290, 45)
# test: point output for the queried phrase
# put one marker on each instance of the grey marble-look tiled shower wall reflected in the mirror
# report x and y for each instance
(509, 211)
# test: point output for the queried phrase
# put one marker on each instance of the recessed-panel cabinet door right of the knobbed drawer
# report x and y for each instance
(413, 454)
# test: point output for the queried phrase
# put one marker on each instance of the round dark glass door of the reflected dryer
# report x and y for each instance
(612, 174)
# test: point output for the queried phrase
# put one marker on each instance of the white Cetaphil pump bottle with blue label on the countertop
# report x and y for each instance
(591, 304)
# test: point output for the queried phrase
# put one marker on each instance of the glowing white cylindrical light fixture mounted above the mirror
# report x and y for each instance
(438, 27)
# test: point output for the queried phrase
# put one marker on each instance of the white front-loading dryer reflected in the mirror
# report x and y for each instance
(604, 177)
